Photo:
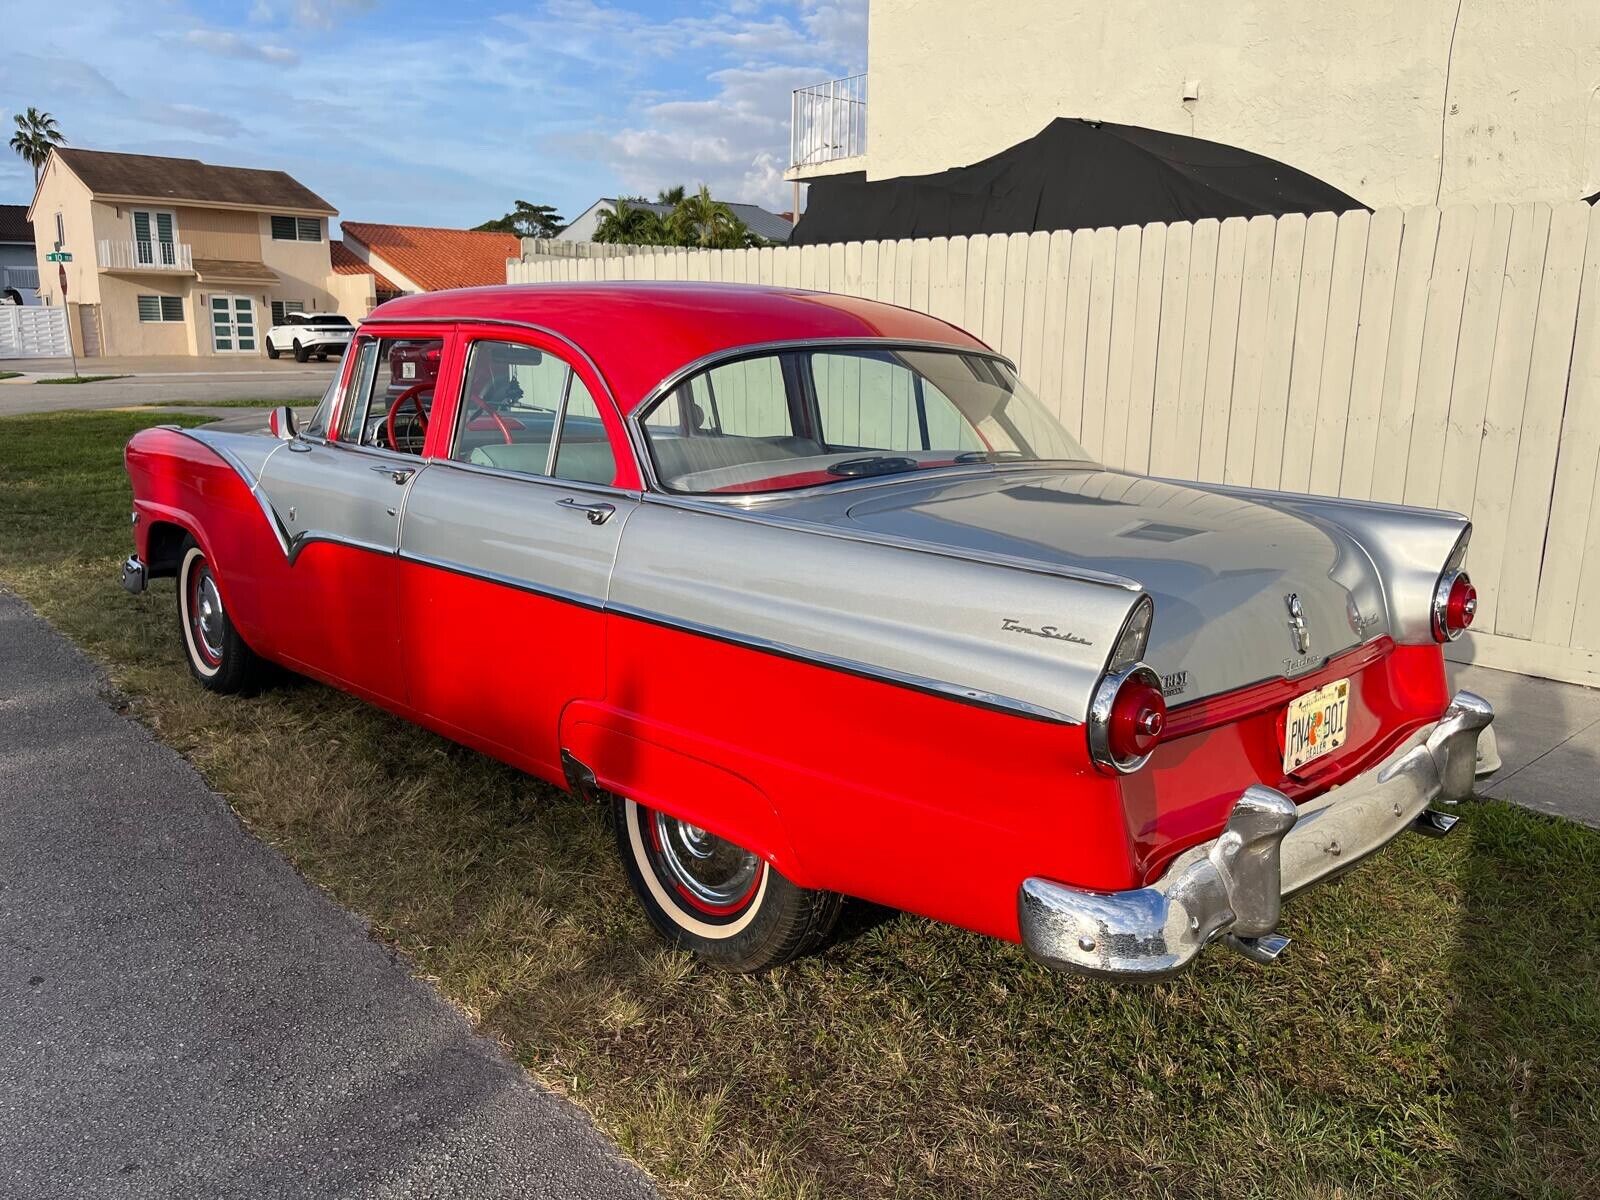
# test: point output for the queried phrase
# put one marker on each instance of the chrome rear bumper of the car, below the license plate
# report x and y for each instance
(1271, 849)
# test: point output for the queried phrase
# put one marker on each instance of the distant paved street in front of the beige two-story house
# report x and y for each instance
(161, 382)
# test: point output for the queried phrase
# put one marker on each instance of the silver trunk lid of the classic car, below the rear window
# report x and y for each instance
(1220, 569)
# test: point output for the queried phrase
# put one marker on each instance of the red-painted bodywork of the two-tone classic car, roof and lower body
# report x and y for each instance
(855, 785)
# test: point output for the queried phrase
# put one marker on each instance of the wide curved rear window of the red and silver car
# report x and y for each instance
(807, 417)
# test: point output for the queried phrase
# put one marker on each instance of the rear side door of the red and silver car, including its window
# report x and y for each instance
(508, 548)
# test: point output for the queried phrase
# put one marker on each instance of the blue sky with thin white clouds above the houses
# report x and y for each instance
(438, 113)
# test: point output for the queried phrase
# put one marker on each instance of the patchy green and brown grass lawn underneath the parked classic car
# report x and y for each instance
(1434, 1031)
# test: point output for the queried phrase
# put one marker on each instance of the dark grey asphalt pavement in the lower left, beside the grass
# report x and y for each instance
(183, 1015)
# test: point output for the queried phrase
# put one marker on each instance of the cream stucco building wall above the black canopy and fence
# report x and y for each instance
(1348, 90)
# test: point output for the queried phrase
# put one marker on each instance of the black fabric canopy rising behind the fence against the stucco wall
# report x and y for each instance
(1071, 175)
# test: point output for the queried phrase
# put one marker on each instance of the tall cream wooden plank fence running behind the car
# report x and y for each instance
(1441, 358)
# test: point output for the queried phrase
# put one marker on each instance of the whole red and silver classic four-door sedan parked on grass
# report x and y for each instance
(823, 602)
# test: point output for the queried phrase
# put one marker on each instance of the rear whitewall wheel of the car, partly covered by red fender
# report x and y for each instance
(724, 903)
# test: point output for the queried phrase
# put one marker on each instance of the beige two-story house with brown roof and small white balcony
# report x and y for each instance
(180, 257)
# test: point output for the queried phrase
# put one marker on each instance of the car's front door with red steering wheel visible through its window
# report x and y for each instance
(338, 497)
